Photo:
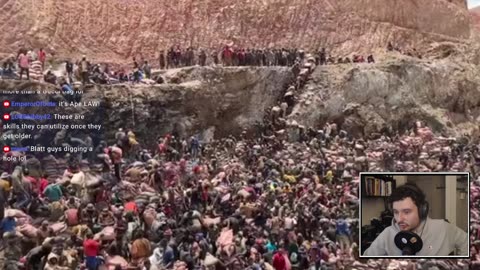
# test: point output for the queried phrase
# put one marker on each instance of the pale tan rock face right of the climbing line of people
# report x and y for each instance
(366, 98)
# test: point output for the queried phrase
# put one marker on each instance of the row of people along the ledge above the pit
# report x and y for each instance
(85, 71)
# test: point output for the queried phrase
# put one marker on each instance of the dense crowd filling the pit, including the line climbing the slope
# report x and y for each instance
(283, 196)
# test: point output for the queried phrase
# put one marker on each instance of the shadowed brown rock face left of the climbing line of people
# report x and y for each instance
(212, 101)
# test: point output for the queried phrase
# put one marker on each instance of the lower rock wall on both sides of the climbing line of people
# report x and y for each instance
(362, 98)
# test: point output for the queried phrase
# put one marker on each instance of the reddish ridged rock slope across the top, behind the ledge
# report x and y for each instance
(116, 30)
